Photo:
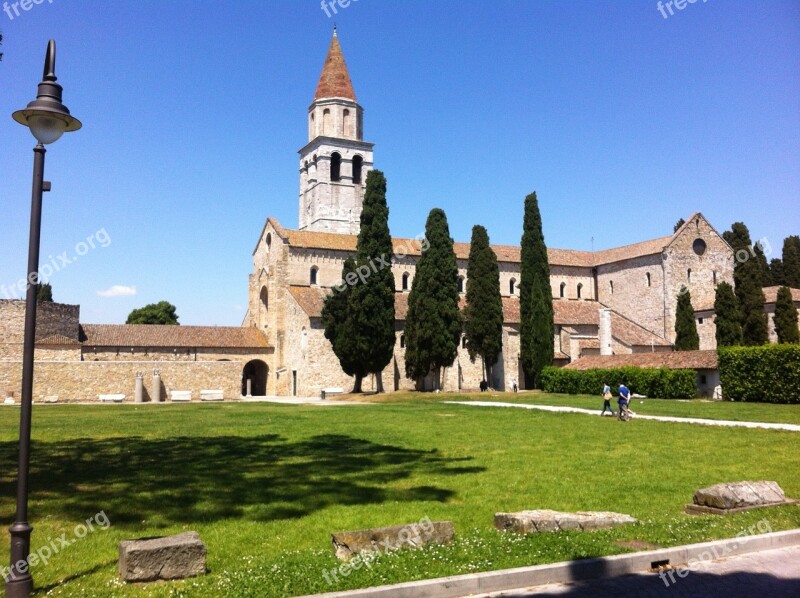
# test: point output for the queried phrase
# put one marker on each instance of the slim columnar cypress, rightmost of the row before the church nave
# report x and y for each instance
(535, 297)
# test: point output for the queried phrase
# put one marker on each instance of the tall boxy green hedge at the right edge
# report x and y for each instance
(767, 374)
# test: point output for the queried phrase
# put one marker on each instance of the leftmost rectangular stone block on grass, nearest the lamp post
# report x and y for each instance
(170, 557)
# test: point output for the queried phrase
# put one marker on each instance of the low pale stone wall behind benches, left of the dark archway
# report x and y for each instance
(84, 380)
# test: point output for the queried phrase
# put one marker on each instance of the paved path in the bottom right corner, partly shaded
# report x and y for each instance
(765, 573)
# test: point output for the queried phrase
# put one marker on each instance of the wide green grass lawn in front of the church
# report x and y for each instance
(265, 485)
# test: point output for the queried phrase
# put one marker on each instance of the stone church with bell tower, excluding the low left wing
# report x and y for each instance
(615, 301)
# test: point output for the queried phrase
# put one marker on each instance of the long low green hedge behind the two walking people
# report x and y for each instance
(652, 382)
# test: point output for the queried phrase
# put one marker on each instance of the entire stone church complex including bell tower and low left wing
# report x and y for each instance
(614, 302)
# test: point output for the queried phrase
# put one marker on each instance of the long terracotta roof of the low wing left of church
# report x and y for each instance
(151, 335)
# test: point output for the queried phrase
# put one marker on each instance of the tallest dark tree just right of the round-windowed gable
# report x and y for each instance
(747, 277)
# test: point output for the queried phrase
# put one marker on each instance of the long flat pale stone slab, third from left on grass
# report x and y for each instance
(545, 520)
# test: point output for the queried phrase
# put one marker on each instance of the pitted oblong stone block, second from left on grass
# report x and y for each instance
(385, 539)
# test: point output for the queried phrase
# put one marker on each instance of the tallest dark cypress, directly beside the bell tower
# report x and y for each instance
(371, 301)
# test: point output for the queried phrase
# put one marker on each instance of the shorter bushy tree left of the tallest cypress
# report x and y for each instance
(337, 318)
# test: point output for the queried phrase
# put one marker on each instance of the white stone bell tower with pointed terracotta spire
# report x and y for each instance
(335, 161)
